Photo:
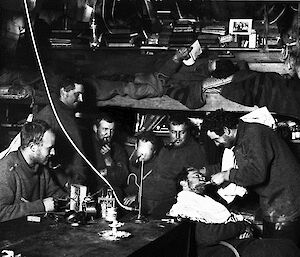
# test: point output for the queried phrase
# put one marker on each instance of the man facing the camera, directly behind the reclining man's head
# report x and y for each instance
(181, 152)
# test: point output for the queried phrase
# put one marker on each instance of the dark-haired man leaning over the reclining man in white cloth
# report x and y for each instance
(265, 164)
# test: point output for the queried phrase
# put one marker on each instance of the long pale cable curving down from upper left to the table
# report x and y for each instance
(55, 112)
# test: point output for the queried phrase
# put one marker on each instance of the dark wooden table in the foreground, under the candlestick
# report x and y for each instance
(58, 238)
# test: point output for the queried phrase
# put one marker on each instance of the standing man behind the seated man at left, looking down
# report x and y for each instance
(69, 166)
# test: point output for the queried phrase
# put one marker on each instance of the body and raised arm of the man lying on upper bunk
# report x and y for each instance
(185, 88)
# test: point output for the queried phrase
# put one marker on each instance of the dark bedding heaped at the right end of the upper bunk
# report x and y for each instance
(270, 89)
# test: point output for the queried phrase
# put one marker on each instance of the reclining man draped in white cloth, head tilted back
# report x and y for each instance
(218, 231)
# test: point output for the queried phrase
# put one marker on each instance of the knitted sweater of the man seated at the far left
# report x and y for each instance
(18, 180)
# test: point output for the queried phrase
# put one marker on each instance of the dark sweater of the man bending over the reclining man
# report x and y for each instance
(266, 163)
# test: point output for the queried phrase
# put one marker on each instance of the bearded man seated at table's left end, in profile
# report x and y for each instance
(25, 183)
